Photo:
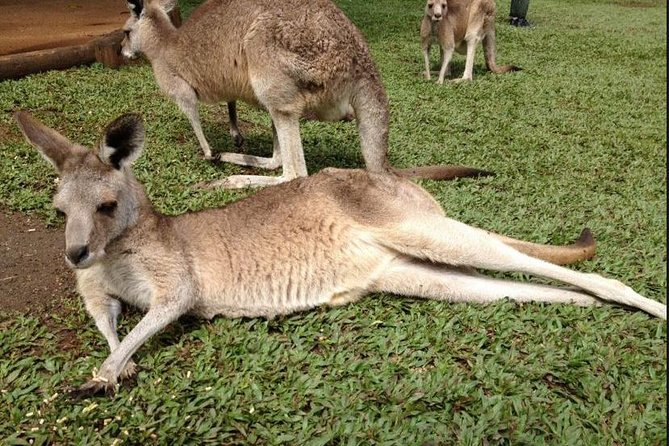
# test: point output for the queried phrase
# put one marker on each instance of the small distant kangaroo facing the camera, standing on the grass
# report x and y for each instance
(459, 25)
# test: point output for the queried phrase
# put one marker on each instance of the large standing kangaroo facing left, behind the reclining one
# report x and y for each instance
(290, 57)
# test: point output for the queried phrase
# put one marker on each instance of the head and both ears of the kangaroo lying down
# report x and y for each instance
(97, 191)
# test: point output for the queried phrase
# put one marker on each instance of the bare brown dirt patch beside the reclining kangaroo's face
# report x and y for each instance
(33, 275)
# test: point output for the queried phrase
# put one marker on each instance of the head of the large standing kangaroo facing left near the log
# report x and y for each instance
(141, 30)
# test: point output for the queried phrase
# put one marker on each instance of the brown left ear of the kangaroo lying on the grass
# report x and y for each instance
(53, 146)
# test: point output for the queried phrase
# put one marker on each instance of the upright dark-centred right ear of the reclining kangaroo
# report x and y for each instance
(122, 141)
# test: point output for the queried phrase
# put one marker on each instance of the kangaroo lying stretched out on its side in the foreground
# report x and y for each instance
(328, 239)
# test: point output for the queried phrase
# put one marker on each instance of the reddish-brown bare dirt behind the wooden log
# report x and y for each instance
(29, 25)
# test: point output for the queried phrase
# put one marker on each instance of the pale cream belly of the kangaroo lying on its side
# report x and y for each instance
(295, 280)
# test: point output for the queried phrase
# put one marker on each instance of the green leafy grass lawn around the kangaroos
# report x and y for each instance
(576, 138)
